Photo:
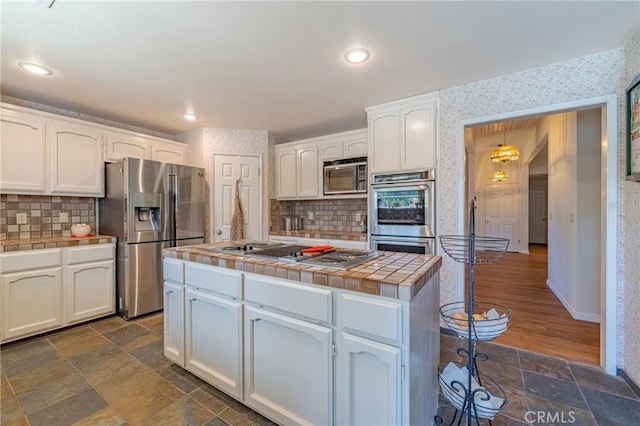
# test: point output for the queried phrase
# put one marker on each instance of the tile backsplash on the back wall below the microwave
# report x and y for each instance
(328, 215)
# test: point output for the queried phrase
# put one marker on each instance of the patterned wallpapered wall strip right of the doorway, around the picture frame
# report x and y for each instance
(629, 234)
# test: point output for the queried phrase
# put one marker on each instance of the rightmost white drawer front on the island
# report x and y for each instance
(372, 316)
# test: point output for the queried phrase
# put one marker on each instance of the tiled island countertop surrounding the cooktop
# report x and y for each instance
(395, 275)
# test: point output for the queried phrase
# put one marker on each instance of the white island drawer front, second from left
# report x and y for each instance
(212, 278)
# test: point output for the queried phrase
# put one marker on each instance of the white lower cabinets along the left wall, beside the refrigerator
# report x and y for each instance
(50, 288)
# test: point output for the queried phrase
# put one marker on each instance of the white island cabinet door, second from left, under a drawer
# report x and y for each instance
(213, 331)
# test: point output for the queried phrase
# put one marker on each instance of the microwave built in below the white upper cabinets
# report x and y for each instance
(347, 176)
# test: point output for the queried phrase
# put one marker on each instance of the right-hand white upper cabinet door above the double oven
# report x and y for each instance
(417, 141)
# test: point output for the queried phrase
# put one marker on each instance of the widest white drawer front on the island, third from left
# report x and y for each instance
(288, 296)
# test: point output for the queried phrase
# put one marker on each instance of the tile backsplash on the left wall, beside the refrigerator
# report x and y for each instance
(43, 215)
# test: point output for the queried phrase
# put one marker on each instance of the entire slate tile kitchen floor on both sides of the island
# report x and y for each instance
(113, 372)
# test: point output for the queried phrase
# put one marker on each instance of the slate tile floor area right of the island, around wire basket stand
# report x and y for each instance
(546, 391)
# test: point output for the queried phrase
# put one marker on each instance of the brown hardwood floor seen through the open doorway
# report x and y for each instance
(539, 321)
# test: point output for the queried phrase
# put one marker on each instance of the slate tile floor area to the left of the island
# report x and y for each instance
(108, 372)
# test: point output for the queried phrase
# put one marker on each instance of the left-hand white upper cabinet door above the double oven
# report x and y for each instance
(383, 134)
